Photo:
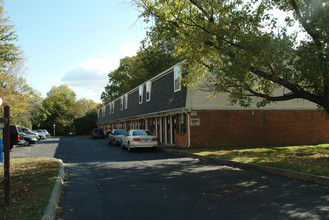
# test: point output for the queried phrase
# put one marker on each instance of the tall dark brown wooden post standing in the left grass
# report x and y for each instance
(6, 146)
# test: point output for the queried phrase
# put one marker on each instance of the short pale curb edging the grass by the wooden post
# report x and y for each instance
(50, 212)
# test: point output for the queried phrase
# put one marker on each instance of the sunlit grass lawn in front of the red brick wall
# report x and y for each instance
(311, 159)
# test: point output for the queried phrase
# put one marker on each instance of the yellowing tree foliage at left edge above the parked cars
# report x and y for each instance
(14, 91)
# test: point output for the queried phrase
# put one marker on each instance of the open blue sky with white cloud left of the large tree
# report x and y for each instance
(74, 42)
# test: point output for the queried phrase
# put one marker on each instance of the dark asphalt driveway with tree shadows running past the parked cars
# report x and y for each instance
(105, 182)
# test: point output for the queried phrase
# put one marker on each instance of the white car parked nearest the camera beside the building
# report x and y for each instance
(139, 139)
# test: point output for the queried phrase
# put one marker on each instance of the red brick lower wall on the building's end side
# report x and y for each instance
(259, 128)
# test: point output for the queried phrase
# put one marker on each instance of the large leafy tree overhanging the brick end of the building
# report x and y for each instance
(247, 48)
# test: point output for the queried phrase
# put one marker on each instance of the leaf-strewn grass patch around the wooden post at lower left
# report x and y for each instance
(32, 181)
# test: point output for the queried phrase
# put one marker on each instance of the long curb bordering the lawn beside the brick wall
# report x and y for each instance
(264, 169)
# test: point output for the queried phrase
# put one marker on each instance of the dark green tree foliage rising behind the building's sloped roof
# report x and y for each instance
(150, 60)
